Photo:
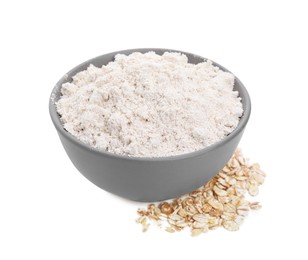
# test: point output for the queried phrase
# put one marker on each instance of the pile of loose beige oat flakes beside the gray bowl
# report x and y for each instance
(220, 202)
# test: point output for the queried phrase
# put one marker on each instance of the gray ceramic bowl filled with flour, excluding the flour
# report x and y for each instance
(147, 179)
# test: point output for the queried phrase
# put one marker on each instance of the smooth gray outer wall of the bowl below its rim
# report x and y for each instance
(149, 180)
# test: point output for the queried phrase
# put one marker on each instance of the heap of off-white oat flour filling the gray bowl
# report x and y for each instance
(150, 105)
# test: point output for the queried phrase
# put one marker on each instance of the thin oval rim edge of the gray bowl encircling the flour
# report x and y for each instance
(59, 125)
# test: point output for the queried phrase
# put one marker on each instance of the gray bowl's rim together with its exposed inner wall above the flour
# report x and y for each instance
(97, 61)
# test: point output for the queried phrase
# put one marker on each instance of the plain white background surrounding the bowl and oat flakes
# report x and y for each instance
(48, 210)
